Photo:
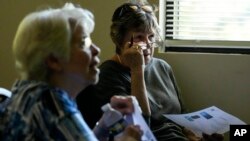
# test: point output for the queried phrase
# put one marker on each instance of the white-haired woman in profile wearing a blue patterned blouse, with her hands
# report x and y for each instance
(56, 59)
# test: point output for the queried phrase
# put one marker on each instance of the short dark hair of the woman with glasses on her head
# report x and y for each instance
(132, 16)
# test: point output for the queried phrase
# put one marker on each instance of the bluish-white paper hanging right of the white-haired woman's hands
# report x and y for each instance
(137, 119)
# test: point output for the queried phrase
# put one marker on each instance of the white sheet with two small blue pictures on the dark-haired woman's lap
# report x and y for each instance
(209, 120)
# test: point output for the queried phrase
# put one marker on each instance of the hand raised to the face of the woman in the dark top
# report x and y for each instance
(132, 56)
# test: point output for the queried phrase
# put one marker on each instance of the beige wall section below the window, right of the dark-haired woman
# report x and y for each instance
(219, 80)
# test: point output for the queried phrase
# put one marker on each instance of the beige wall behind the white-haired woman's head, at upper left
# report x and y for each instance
(12, 11)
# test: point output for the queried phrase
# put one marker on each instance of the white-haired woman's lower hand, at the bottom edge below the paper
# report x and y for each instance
(131, 133)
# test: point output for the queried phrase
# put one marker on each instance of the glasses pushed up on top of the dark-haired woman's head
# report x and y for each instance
(137, 8)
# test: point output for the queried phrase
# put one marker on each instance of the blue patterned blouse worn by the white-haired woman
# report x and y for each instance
(40, 112)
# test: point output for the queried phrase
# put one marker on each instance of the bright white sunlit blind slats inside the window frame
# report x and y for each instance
(227, 20)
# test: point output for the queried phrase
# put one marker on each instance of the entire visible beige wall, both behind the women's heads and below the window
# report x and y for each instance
(204, 79)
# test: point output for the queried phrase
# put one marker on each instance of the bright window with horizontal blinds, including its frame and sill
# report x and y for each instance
(206, 23)
